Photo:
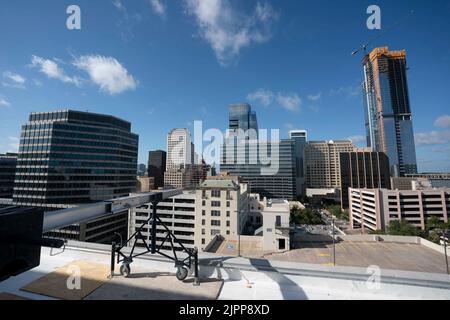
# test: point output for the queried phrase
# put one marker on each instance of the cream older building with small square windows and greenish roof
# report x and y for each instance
(221, 210)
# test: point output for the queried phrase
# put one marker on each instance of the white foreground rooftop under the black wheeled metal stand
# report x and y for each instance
(239, 278)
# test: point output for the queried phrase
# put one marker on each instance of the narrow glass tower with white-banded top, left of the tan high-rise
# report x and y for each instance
(300, 137)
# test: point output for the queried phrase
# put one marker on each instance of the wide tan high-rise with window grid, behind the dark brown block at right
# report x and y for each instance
(322, 163)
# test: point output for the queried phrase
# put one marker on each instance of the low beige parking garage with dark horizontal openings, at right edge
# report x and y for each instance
(373, 209)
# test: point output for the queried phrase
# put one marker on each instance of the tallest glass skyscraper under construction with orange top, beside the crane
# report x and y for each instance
(388, 114)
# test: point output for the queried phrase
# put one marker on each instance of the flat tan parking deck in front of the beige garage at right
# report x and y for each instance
(394, 256)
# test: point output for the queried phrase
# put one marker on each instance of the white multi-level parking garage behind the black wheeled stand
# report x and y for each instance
(178, 215)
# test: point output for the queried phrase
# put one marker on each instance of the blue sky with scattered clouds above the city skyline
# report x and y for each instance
(174, 62)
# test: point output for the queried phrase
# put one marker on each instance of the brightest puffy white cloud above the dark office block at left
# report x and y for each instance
(107, 73)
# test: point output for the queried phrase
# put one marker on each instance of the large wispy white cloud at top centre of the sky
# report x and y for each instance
(229, 31)
